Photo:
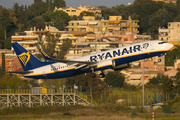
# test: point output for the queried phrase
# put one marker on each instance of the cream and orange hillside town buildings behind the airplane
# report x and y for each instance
(90, 35)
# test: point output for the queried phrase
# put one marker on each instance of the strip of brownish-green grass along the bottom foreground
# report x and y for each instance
(101, 112)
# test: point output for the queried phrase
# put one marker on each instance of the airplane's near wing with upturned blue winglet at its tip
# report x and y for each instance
(70, 62)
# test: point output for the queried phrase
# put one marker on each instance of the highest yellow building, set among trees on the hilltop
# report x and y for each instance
(76, 11)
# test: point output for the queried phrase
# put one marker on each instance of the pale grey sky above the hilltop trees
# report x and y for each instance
(74, 3)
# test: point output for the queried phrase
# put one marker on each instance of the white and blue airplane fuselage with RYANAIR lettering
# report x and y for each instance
(121, 55)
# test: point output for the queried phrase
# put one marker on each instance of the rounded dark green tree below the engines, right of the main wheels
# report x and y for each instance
(116, 79)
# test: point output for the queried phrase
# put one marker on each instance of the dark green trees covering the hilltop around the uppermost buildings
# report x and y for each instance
(20, 18)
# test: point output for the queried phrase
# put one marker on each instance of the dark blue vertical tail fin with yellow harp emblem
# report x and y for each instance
(27, 60)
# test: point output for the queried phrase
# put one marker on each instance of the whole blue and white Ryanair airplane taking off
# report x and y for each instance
(116, 59)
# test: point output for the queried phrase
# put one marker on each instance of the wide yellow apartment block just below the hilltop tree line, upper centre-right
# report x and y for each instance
(114, 25)
